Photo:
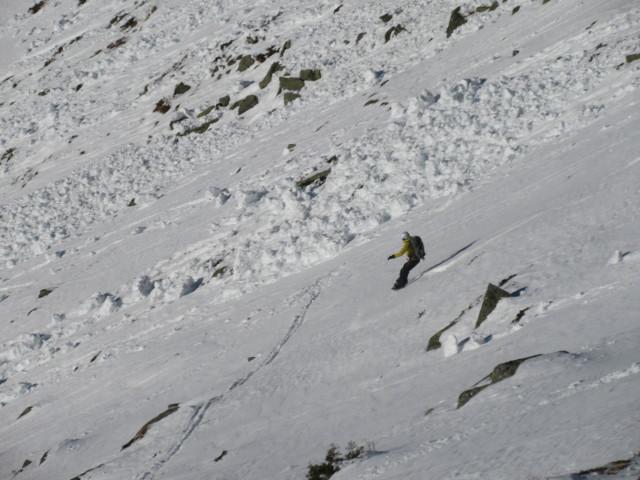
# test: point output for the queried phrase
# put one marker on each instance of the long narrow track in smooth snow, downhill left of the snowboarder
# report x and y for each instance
(307, 297)
